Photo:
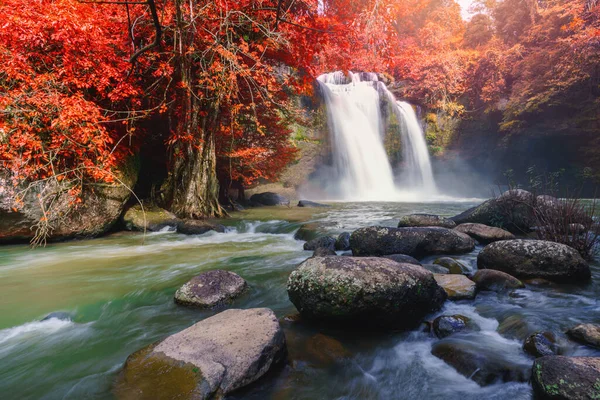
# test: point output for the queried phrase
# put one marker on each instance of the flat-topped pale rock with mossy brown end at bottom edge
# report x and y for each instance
(207, 360)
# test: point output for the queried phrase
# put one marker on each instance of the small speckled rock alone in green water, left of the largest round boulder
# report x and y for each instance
(211, 288)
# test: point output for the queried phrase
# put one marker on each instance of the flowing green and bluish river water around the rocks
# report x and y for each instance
(118, 294)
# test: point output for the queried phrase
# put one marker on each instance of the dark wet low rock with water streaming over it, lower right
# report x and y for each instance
(477, 364)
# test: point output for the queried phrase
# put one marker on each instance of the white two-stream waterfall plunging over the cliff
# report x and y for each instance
(356, 125)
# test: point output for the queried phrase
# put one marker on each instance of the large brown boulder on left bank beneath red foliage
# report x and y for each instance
(93, 214)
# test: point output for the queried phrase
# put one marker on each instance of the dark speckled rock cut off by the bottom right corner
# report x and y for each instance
(566, 378)
